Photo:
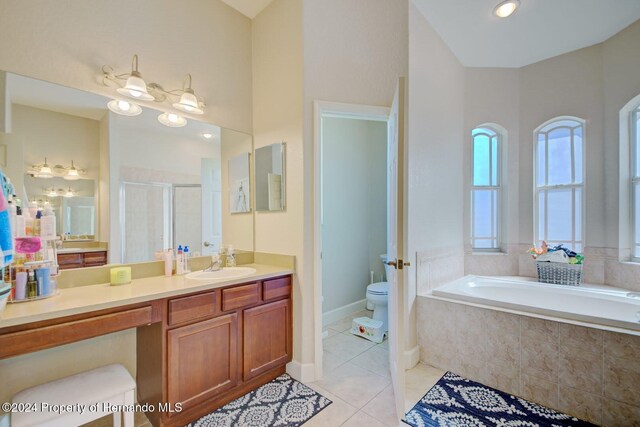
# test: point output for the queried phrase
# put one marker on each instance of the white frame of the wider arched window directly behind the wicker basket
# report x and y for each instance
(546, 128)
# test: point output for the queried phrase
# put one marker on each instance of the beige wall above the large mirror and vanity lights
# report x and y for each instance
(68, 41)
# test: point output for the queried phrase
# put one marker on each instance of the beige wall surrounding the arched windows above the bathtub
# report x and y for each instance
(593, 83)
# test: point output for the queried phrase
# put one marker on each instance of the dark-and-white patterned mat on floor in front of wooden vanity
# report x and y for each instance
(282, 402)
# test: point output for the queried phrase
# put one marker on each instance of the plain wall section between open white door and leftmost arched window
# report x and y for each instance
(436, 85)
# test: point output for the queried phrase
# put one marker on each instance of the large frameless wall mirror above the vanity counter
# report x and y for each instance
(137, 186)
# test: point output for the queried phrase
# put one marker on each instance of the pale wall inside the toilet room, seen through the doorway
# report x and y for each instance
(354, 208)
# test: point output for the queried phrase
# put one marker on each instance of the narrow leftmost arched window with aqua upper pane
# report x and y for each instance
(485, 189)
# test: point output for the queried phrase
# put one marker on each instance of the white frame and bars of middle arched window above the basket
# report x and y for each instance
(537, 189)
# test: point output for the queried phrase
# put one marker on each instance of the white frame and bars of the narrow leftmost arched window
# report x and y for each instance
(496, 226)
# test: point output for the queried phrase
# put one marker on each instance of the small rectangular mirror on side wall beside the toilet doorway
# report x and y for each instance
(270, 177)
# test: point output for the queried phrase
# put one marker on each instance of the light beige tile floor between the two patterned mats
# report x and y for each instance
(356, 378)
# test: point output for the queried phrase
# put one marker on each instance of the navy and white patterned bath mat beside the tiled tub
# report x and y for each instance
(457, 401)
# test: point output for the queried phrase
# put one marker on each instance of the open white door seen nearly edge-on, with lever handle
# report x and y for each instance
(395, 234)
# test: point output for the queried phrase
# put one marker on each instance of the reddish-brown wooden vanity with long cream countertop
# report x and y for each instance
(198, 345)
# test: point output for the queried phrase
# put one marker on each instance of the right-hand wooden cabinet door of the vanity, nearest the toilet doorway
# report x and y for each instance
(266, 337)
